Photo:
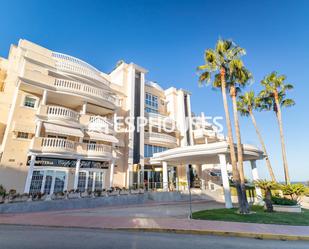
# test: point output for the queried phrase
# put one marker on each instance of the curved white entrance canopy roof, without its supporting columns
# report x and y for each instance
(204, 154)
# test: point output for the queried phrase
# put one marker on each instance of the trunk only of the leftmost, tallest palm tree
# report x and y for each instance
(236, 178)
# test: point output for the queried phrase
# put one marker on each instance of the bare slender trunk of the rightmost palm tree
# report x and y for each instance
(279, 118)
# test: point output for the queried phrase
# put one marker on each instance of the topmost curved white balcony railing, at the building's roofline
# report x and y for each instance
(76, 66)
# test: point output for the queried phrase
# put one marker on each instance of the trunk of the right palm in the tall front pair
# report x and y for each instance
(244, 205)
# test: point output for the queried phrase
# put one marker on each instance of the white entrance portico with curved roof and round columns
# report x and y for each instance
(212, 153)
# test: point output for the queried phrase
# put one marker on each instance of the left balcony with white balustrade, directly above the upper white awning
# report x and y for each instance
(59, 113)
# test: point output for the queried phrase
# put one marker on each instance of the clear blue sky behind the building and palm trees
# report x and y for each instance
(169, 37)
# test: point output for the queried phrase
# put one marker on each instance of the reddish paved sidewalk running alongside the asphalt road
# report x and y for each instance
(91, 219)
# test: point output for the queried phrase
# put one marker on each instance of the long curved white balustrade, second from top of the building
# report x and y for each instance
(84, 89)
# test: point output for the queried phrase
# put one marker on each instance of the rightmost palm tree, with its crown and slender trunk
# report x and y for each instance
(273, 98)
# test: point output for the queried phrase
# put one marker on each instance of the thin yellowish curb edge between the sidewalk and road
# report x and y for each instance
(261, 236)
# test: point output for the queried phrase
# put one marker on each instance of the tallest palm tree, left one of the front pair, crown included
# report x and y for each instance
(219, 63)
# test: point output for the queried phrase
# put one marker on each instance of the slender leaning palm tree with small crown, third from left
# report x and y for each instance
(246, 104)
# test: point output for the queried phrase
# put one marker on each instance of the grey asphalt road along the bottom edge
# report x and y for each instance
(17, 237)
